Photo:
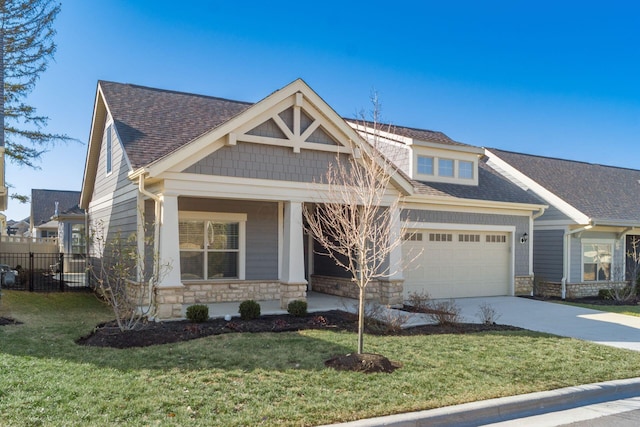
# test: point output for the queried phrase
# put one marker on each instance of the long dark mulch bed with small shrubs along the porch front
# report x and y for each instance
(152, 333)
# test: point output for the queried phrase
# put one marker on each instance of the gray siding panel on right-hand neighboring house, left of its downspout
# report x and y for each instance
(548, 254)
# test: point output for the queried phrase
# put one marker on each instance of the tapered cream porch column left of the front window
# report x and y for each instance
(169, 242)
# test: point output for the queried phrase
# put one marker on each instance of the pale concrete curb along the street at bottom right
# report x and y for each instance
(508, 408)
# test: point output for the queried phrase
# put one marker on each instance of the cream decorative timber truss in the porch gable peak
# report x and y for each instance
(294, 123)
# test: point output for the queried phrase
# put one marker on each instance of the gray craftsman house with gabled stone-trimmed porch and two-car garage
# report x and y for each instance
(227, 182)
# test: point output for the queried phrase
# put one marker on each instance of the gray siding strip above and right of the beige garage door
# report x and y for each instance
(521, 224)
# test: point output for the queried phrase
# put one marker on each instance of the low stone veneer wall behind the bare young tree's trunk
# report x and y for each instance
(388, 292)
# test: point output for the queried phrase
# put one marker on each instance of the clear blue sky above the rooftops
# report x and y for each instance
(551, 78)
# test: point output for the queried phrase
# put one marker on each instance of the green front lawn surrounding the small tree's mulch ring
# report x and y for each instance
(264, 379)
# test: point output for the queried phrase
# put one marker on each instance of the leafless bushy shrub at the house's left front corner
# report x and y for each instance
(125, 277)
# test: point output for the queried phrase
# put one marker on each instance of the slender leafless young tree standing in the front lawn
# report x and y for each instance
(356, 221)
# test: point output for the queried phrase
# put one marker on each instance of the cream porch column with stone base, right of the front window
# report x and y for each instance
(293, 282)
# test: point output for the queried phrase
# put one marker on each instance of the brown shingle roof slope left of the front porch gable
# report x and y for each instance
(152, 122)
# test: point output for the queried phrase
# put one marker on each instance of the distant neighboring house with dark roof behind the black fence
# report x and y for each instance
(56, 214)
